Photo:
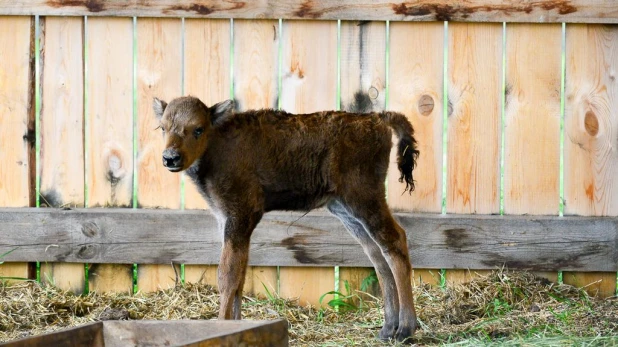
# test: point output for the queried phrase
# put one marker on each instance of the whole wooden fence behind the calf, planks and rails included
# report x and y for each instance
(517, 123)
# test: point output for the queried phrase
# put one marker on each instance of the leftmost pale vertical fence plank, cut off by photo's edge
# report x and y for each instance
(16, 121)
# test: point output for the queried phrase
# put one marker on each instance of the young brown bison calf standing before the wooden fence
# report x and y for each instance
(249, 163)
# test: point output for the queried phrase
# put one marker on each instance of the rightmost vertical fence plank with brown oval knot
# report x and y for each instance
(591, 122)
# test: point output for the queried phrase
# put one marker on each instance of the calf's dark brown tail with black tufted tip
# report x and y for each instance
(407, 153)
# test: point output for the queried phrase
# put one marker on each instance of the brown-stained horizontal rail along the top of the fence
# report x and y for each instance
(572, 11)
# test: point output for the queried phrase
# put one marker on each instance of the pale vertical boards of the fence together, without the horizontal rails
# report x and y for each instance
(493, 91)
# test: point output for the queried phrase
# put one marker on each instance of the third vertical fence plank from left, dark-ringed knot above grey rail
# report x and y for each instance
(109, 135)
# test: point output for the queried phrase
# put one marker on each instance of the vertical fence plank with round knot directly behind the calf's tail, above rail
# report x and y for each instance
(416, 83)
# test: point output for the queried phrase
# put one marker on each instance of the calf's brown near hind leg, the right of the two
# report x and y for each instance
(376, 218)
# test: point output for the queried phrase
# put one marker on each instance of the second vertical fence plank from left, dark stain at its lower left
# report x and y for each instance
(62, 131)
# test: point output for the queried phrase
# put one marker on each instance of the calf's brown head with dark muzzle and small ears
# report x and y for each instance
(187, 123)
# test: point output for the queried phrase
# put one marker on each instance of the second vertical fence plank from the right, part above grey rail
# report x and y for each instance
(532, 119)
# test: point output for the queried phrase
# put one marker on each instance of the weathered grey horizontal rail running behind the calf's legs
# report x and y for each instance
(317, 239)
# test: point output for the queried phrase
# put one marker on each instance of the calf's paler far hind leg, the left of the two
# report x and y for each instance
(385, 276)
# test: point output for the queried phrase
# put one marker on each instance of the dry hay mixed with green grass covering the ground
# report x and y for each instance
(500, 308)
